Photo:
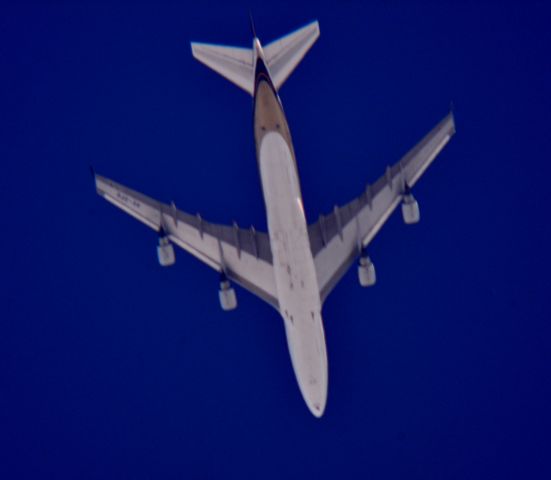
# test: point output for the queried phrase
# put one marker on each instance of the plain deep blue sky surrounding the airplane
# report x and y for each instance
(113, 367)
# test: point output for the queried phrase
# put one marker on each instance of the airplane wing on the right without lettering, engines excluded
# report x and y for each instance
(338, 238)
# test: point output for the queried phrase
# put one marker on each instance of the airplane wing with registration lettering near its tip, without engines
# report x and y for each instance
(245, 256)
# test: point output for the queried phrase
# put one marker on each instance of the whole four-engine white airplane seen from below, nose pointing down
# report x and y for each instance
(294, 266)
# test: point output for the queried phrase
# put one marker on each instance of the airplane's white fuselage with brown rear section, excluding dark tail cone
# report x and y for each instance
(294, 270)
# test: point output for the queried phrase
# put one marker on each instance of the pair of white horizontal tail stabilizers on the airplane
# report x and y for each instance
(237, 64)
